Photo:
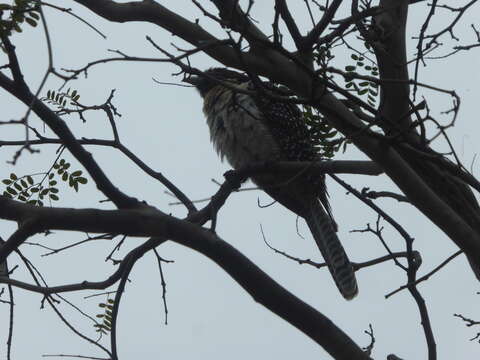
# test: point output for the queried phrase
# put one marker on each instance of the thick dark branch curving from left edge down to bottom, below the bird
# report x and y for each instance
(154, 223)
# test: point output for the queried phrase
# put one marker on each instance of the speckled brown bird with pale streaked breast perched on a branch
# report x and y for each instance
(249, 127)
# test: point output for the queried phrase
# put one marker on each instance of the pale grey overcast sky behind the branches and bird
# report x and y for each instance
(210, 316)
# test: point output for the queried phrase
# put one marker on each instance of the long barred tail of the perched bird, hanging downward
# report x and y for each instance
(322, 228)
